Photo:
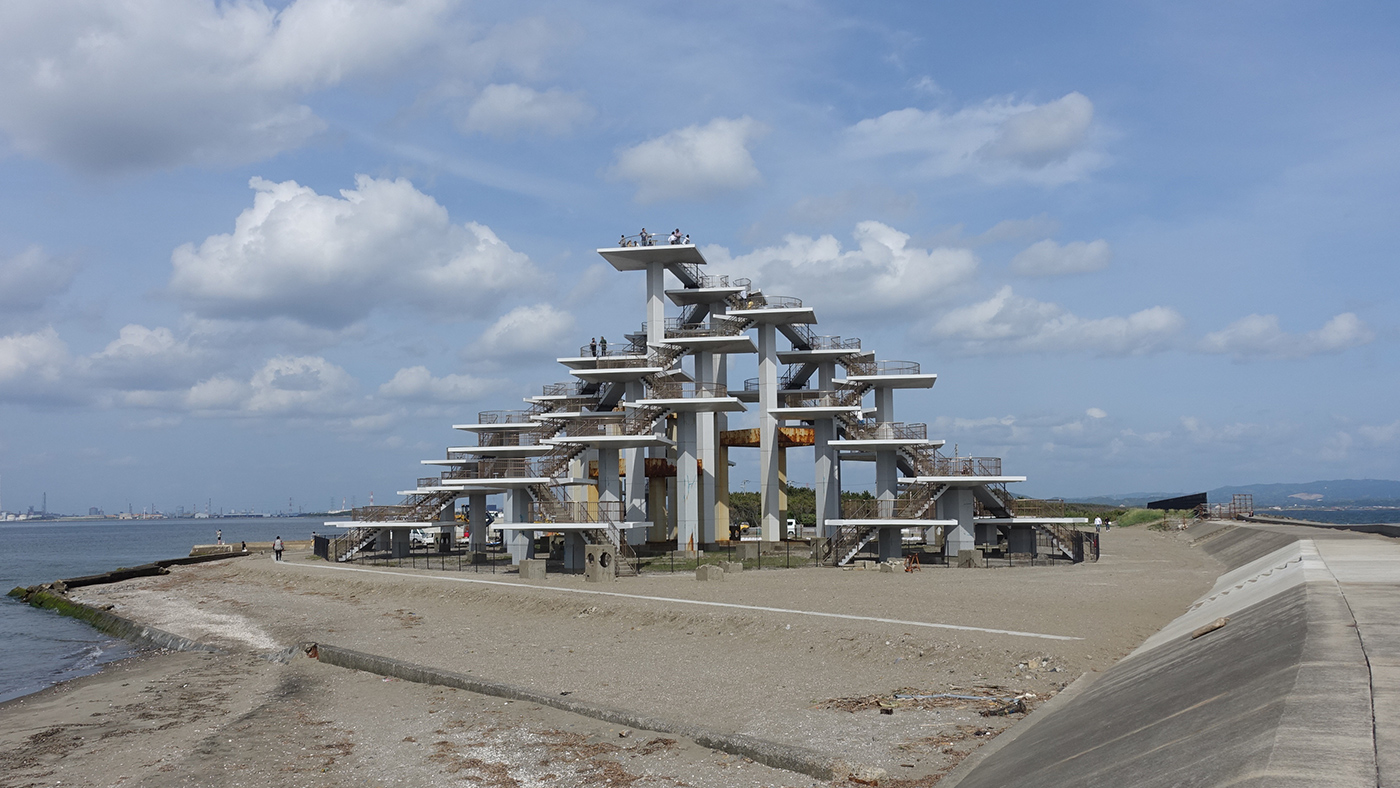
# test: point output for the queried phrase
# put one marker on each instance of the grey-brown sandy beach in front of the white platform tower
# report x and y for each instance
(811, 670)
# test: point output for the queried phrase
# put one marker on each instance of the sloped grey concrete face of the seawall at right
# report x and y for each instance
(1279, 696)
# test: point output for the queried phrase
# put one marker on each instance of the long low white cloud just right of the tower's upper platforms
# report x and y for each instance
(1014, 324)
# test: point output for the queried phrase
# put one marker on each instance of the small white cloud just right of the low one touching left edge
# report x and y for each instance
(145, 359)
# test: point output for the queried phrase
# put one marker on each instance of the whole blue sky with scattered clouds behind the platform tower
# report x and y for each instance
(265, 254)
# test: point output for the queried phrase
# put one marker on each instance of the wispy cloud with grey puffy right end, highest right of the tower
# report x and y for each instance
(997, 141)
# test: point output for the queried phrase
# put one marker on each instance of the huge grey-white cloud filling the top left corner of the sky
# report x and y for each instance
(103, 86)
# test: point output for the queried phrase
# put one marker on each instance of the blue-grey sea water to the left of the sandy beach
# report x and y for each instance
(38, 647)
